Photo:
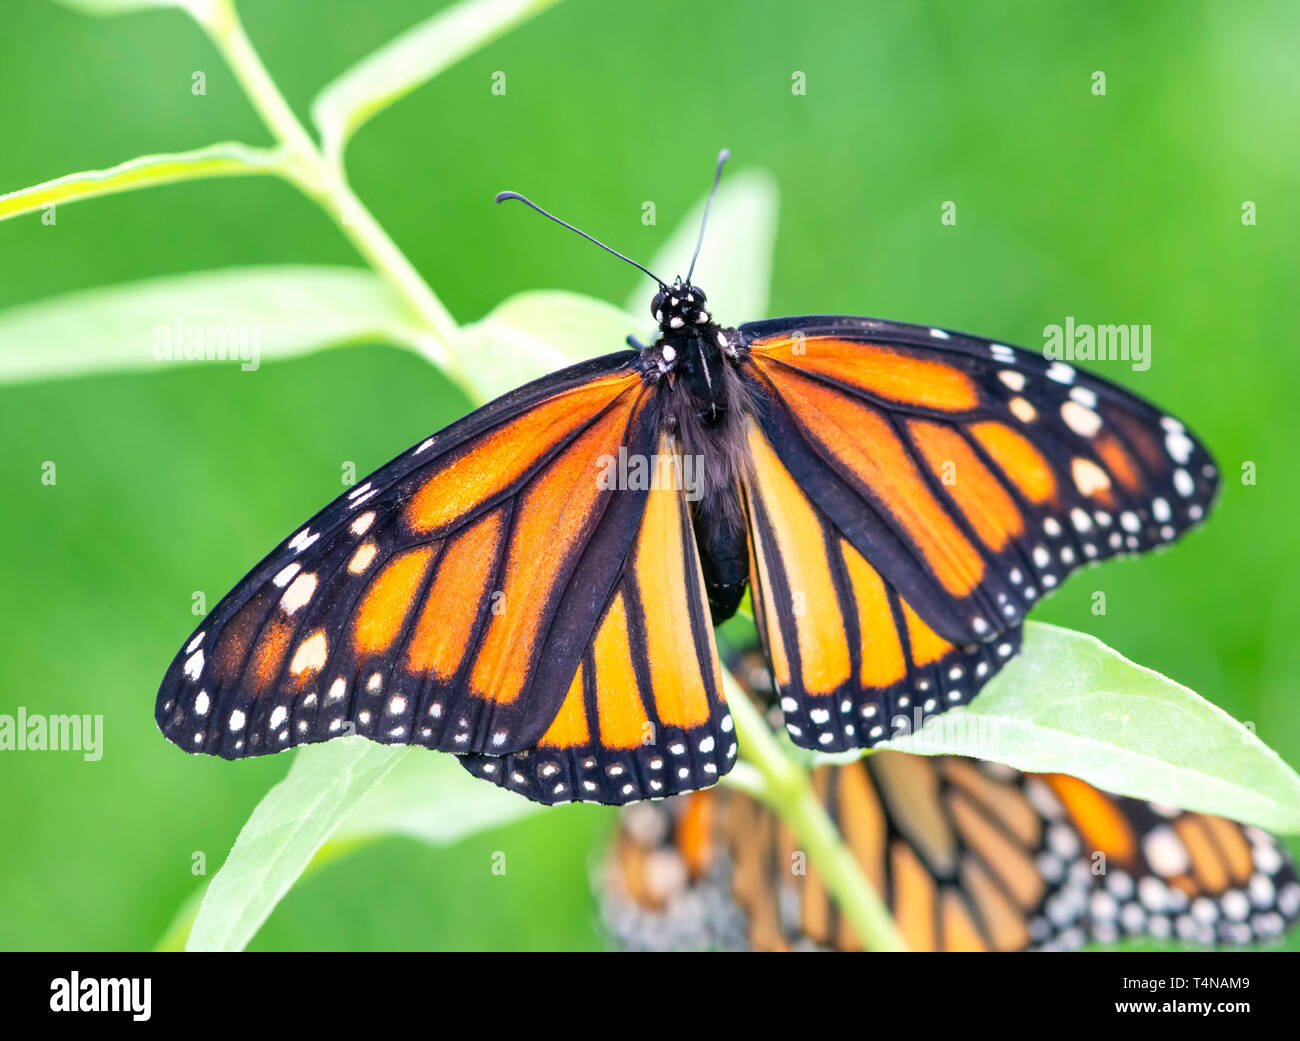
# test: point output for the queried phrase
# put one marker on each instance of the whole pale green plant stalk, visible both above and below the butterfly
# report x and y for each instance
(785, 786)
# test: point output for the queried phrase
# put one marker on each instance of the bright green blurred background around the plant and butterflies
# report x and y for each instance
(1124, 209)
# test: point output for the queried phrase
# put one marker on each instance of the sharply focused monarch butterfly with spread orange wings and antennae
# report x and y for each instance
(532, 588)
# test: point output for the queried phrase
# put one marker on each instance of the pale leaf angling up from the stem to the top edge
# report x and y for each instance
(410, 60)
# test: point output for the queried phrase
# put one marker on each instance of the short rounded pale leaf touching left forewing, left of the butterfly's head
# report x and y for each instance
(536, 333)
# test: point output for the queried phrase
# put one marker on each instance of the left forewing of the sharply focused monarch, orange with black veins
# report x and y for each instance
(445, 601)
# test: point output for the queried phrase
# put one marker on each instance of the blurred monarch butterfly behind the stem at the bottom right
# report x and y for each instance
(968, 855)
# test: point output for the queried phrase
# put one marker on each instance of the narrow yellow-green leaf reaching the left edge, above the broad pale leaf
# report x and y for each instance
(228, 159)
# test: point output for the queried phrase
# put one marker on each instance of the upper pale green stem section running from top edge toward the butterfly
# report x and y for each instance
(323, 183)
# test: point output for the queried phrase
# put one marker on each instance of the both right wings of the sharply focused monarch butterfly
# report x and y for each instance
(964, 476)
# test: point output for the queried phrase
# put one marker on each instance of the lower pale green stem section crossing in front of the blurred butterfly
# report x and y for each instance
(790, 793)
